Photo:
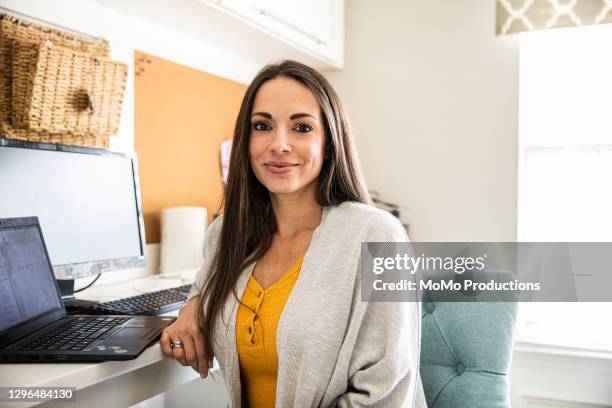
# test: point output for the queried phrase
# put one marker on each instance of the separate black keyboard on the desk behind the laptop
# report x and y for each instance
(151, 303)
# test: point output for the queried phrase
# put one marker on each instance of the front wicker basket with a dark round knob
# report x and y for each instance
(58, 90)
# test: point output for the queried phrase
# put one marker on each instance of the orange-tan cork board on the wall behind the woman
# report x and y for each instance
(181, 117)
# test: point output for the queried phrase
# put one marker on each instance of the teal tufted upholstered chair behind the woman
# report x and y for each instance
(466, 350)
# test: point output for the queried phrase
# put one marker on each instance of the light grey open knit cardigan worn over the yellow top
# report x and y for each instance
(333, 349)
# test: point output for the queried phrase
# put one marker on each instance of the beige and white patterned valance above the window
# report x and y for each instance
(525, 15)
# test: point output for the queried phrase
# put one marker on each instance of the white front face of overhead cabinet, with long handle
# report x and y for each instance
(312, 26)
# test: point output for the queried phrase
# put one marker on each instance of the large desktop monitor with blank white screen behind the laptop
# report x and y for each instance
(87, 201)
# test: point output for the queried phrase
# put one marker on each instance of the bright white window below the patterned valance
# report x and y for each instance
(565, 166)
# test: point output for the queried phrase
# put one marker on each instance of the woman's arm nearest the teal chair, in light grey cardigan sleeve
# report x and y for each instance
(383, 369)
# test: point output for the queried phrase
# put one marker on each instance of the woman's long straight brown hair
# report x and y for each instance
(248, 220)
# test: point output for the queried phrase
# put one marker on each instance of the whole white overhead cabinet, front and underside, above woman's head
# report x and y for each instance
(254, 31)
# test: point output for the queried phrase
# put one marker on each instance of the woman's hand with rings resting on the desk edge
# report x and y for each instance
(186, 330)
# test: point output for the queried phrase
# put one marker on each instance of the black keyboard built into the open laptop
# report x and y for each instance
(75, 333)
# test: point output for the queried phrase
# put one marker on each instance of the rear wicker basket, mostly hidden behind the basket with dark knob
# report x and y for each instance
(15, 31)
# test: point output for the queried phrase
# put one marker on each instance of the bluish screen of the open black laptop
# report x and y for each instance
(27, 286)
